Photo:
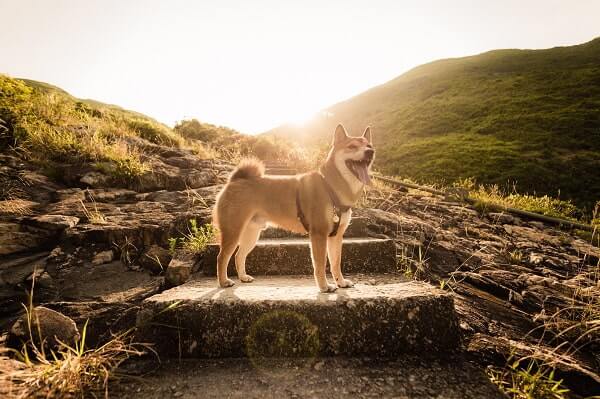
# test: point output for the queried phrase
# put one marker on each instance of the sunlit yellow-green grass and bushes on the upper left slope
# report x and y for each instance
(50, 127)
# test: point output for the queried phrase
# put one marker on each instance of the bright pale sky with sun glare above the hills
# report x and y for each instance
(255, 64)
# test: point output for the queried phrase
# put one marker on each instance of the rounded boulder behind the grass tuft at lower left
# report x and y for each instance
(47, 324)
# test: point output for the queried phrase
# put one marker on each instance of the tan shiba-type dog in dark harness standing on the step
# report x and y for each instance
(318, 203)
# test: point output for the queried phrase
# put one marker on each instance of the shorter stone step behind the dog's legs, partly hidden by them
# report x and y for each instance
(292, 256)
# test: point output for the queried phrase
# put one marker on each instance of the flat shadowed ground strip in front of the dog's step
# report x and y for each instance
(315, 378)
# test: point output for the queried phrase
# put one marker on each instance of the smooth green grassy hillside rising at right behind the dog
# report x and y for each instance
(531, 117)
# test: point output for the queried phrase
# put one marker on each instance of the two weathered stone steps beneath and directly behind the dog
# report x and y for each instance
(282, 313)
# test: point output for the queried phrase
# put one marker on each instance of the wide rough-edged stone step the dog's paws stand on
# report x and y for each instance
(286, 316)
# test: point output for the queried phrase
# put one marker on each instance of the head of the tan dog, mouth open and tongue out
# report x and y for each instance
(355, 153)
